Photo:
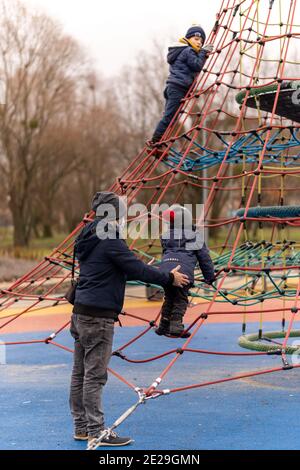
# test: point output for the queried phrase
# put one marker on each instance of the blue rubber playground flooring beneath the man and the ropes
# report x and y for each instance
(258, 413)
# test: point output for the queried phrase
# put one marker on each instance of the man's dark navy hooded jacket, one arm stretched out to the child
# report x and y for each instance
(105, 266)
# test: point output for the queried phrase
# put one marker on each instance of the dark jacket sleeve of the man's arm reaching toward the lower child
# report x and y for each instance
(133, 268)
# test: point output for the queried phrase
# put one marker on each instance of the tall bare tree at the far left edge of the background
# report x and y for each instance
(39, 65)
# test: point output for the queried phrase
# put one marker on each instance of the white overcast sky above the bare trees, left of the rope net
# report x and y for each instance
(113, 31)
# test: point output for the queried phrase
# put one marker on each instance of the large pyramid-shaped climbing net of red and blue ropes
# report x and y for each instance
(233, 145)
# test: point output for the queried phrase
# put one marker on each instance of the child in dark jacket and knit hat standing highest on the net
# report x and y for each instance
(186, 59)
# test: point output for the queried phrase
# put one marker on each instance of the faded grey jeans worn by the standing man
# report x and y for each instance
(93, 347)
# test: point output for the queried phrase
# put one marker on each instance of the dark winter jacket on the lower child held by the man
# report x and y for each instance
(186, 249)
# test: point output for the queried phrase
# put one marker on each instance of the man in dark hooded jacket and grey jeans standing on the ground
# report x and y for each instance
(106, 264)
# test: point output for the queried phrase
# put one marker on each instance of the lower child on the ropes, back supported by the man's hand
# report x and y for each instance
(182, 245)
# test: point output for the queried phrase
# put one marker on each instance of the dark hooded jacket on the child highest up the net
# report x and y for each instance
(185, 64)
